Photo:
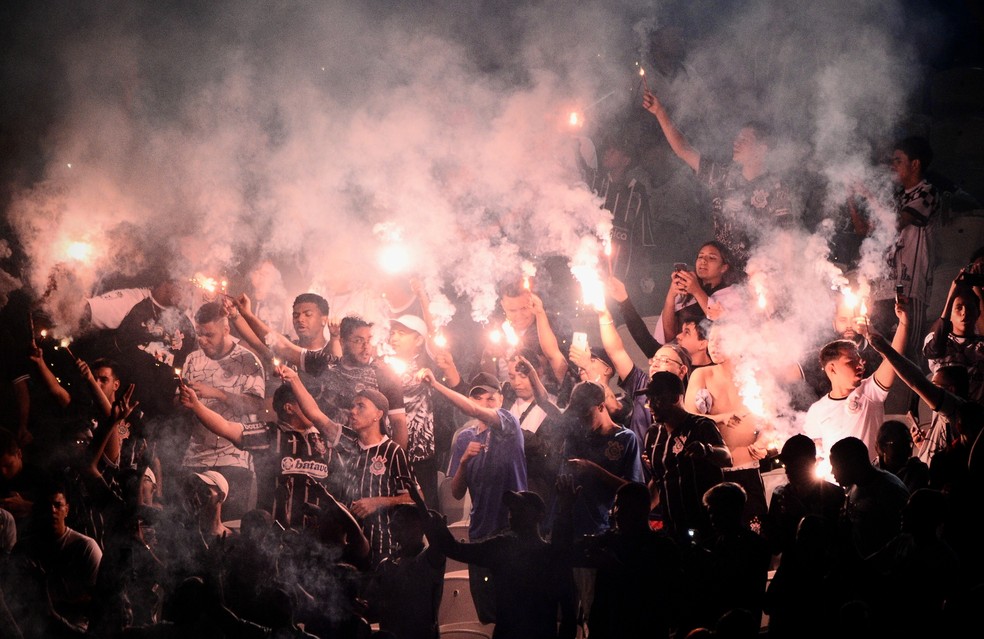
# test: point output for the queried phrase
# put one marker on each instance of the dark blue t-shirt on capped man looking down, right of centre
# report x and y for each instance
(616, 452)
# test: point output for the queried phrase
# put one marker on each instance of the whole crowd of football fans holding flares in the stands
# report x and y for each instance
(191, 472)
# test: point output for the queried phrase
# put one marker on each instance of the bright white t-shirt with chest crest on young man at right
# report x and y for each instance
(860, 414)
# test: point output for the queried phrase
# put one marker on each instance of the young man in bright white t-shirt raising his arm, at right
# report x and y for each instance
(855, 405)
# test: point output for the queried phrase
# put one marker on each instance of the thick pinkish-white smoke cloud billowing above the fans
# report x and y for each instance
(295, 141)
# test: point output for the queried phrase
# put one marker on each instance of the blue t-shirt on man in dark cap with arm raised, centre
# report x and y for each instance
(501, 466)
